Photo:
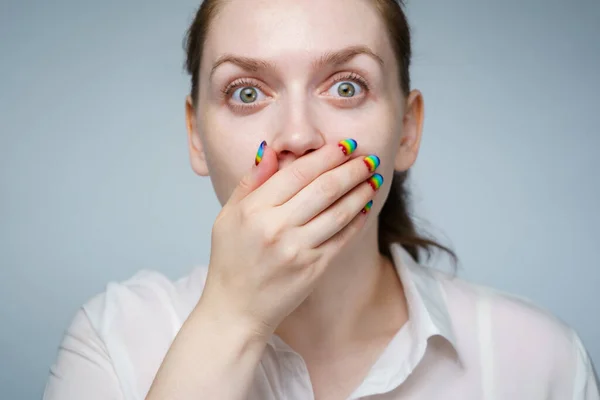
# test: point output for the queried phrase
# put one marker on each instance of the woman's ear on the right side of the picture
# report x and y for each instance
(412, 128)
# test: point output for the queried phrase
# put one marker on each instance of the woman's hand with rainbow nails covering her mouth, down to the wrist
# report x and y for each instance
(280, 229)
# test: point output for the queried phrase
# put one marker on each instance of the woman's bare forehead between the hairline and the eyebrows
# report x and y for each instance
(279, 29)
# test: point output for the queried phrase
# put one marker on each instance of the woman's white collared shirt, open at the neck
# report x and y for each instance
(462, 341)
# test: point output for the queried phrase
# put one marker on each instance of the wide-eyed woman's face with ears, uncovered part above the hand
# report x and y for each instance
(298, 74)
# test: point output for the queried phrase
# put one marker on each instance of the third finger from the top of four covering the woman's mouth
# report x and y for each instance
(337, 217)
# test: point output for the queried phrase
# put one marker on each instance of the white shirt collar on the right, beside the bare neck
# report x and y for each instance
(428, 316)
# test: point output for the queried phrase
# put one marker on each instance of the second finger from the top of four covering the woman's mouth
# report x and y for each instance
(329, 187)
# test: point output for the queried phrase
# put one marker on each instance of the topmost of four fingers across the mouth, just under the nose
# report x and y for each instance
(287, 182)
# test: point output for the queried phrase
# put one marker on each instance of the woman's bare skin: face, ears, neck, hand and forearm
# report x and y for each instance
(336, 302)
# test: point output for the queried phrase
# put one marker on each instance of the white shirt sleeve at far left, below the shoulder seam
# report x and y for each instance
(83, 369)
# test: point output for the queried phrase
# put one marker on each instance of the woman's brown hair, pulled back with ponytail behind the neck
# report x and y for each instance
(395, 221)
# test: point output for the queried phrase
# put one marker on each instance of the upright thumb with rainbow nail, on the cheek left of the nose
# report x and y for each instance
(266, 164)
